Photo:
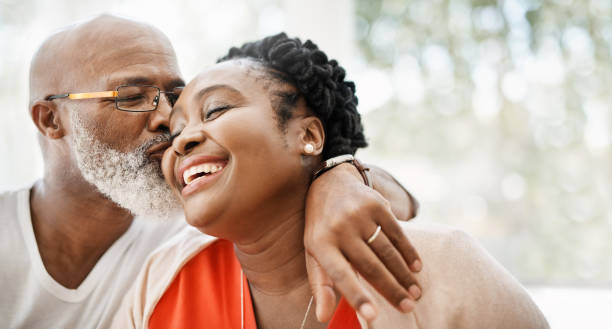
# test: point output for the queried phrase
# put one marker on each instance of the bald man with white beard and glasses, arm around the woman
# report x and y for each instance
(74, 241)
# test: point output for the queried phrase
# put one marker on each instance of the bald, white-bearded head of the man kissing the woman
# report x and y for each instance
(87, 143)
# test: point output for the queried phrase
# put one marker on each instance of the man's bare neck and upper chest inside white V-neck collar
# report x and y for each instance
(74, 225)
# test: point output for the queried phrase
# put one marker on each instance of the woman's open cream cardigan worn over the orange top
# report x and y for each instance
(463, 286)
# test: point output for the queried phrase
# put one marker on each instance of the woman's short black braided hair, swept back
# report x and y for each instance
(319, 80)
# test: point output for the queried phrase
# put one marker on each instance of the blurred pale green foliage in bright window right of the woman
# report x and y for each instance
(505, 106)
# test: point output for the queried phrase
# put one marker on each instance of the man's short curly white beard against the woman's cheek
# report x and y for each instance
(131, 180)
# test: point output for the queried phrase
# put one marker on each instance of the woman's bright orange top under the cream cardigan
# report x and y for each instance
(206, 294)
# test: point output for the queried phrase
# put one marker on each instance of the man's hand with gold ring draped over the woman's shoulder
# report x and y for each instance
(342, 213)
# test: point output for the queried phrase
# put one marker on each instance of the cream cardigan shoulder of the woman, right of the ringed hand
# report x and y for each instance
(463, 285)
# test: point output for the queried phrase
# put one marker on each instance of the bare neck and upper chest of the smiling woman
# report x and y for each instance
(275, 267)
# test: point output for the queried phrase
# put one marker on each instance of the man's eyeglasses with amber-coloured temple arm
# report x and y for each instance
(129, 98)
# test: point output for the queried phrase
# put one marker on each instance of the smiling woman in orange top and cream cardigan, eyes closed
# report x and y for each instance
(250, 133)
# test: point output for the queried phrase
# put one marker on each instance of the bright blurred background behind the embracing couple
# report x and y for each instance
(495, 114)
